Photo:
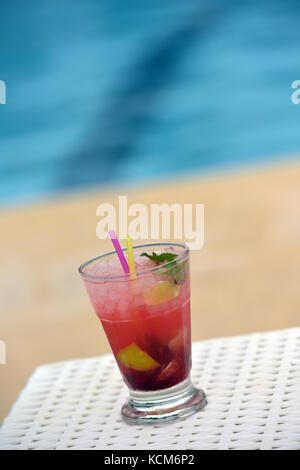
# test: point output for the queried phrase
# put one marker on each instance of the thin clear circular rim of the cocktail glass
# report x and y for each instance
(127, 277)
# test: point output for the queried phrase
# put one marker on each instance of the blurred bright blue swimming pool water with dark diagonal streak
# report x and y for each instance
(108, 92)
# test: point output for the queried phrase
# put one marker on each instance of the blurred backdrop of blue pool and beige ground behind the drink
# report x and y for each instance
(164, 102)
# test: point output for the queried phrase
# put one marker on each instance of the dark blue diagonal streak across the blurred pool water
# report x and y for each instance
(133, 108)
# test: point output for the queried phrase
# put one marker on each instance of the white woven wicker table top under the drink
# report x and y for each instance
(252, 384)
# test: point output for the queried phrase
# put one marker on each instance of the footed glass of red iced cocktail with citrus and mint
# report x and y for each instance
(147, 322)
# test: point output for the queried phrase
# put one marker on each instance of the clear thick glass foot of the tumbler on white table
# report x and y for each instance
(165, 405)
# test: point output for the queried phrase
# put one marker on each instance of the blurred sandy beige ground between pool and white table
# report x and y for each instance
(245, 279)
